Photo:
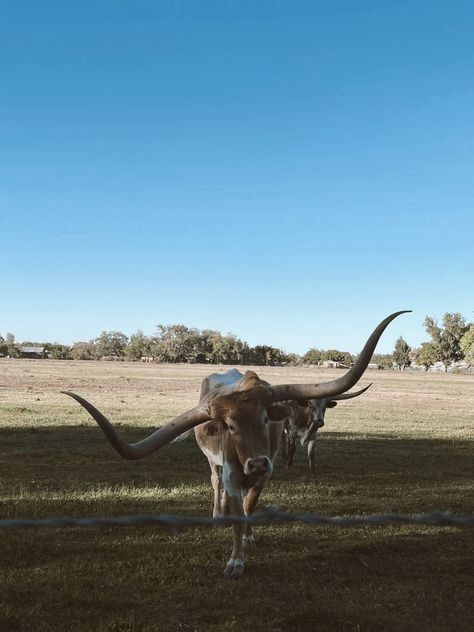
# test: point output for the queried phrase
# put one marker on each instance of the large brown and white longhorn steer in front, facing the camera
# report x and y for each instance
(238, 424)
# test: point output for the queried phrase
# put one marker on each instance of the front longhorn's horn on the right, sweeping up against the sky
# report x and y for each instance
(344, 383)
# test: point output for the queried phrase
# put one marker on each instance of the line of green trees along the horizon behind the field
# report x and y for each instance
(450, 342)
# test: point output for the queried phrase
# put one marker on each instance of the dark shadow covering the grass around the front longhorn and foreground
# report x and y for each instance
(298, 578)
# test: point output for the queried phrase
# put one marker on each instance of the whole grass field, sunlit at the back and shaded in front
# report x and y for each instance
(406, 446)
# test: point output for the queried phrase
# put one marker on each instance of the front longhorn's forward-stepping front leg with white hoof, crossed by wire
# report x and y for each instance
(233, 486)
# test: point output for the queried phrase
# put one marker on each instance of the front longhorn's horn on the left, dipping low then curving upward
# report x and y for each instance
(154, 441)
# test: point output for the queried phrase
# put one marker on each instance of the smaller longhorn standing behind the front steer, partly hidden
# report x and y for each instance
(306, 417)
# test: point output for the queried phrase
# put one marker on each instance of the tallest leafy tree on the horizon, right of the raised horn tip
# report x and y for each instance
(446, 339)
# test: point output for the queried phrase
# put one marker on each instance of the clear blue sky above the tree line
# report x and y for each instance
(291, 172)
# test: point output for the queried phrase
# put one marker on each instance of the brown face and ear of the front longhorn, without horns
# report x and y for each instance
(245, 416)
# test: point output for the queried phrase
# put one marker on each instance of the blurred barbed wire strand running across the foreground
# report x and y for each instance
(270, 515)
